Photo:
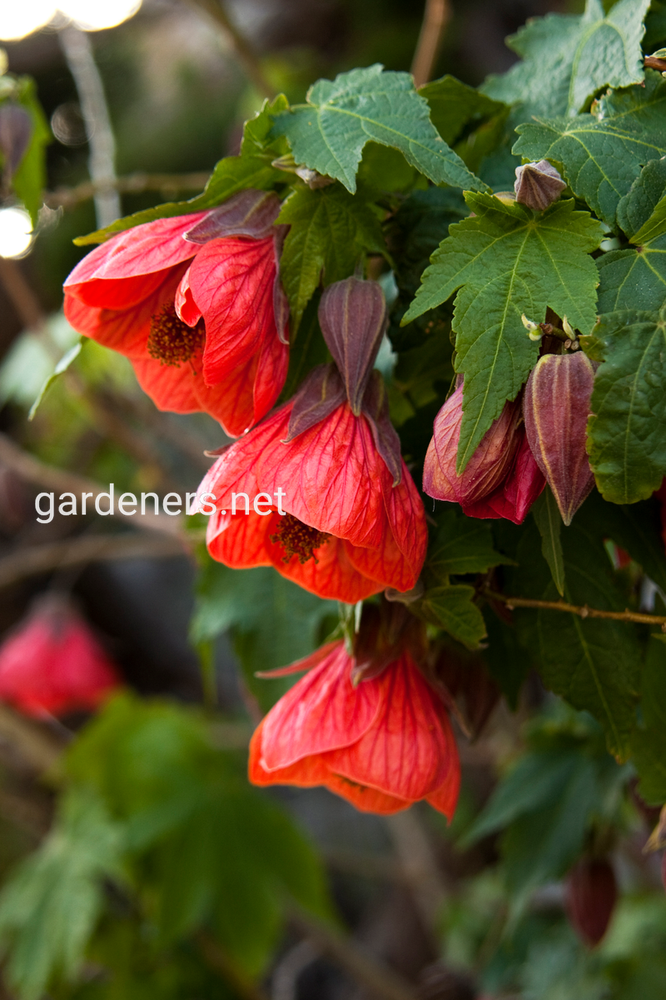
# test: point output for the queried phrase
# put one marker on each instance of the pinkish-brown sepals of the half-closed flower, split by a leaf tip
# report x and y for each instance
(488, 466)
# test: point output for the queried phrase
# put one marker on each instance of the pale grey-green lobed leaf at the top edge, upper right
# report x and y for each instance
(568, 59)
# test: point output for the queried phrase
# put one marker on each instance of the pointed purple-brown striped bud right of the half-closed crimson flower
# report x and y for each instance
(556, 407)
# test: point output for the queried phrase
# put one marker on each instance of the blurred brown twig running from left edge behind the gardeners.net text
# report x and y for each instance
(61, 481)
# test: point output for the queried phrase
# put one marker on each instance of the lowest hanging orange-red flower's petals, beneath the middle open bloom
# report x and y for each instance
(382, 744)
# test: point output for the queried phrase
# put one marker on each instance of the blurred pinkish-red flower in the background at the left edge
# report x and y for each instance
(52, 663)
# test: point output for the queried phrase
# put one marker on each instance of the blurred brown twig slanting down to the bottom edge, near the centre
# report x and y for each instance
(378, 980)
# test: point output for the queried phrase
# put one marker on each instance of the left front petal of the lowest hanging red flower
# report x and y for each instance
(323, 711)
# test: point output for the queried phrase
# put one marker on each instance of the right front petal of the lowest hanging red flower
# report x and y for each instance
(407, 751)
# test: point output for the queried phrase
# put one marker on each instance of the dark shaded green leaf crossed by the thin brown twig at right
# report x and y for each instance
(594, 664)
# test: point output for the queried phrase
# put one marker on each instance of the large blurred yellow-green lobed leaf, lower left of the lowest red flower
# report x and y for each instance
(207, 848)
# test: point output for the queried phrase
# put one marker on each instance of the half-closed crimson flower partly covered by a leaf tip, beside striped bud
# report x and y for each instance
(501, 478)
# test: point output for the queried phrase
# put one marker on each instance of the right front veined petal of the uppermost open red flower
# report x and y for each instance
(231, 280)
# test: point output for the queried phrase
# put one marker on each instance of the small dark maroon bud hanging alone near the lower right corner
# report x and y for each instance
(591, 893)
